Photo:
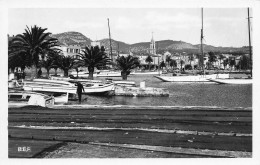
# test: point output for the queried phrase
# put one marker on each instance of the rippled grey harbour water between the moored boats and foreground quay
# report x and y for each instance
(181, 94)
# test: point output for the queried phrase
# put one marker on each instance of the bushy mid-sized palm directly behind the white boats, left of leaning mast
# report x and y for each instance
(94, 57)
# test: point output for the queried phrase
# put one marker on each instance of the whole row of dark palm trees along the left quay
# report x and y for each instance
(26, 49)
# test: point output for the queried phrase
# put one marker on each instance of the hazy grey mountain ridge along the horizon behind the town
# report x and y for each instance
(76, 38)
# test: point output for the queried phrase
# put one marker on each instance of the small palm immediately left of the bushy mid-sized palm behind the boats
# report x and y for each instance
(66, 63)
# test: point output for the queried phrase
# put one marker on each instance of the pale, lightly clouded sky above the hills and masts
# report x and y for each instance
(222, 26)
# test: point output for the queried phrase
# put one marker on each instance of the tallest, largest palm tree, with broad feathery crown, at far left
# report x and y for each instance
(34, 42)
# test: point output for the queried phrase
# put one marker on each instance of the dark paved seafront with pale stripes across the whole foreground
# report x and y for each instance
(130, 131)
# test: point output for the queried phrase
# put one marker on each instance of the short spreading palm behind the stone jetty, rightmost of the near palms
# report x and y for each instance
(126, 64)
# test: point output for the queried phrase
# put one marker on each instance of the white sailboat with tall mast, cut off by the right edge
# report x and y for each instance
(237, 81)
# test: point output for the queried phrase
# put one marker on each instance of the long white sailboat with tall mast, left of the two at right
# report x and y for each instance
(194, 78)
